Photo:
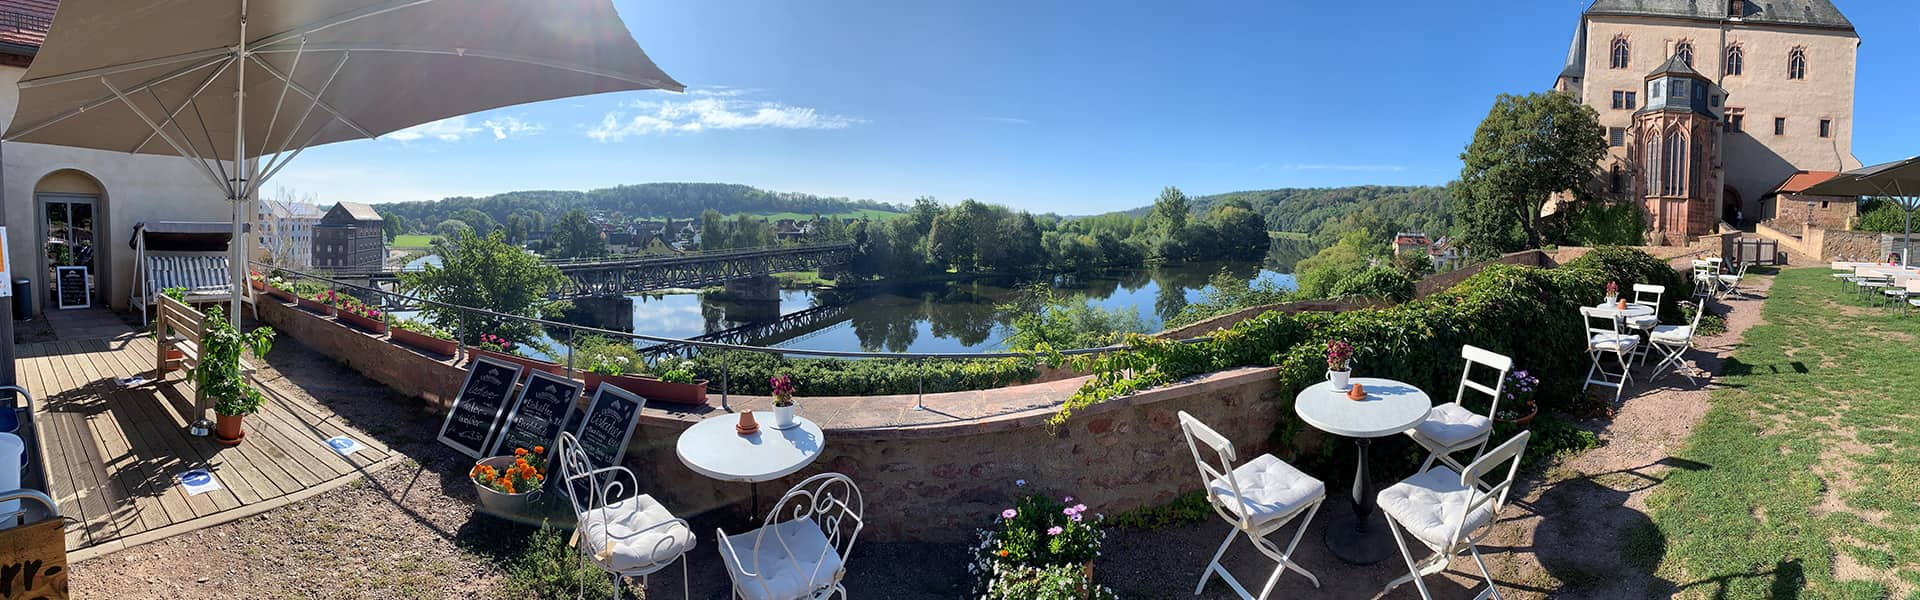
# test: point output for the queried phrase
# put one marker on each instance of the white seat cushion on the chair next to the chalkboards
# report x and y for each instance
(635, 553)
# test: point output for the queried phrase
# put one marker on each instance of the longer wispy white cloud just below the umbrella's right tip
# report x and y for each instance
(711, 109)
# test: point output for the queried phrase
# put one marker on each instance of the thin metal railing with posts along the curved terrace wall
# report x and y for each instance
(569, 336)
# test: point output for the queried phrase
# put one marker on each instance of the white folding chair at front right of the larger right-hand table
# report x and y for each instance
(1449, 512)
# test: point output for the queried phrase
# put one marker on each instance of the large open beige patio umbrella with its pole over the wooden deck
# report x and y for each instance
(243, 87)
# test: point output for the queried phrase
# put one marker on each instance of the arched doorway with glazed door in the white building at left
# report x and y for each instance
(72, 222)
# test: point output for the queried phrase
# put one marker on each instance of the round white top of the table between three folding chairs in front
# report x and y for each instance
(1391, 409)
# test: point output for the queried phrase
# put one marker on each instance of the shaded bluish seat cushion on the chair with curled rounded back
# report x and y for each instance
(786, 572)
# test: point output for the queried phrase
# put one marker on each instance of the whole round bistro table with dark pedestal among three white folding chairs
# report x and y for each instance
(1391, 409)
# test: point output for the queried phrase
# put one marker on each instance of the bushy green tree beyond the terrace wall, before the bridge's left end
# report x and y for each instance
(485, 272)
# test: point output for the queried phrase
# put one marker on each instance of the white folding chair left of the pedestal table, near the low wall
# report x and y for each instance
(1257, 499)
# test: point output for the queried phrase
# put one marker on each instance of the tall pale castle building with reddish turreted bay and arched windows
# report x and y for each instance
(1712, 105)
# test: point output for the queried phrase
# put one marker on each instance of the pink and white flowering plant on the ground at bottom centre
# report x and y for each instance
(1040, 549)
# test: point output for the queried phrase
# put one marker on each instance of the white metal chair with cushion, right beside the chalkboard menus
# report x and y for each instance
(619, 530)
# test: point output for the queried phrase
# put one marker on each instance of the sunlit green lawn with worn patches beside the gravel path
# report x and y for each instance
(1812, 459)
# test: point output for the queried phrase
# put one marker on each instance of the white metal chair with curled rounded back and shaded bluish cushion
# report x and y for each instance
(804, 549)
